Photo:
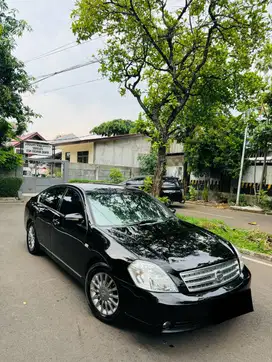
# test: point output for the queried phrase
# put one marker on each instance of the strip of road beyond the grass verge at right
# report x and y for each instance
(236, 219)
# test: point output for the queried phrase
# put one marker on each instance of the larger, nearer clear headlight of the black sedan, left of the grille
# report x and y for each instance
(151, 277)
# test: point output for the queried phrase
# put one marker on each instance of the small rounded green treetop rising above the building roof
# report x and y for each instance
(114, 128)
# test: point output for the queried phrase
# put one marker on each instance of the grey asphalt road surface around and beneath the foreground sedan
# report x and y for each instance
(44, 316)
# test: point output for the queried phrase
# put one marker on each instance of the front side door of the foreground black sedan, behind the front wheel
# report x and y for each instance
(69, 237)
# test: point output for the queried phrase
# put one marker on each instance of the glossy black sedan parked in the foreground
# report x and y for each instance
(136, 258)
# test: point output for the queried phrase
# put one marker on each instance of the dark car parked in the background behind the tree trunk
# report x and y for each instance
(171, 187)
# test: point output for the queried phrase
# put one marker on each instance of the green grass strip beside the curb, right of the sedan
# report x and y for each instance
(254, 240)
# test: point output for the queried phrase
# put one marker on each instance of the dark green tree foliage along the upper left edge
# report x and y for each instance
(14, 81)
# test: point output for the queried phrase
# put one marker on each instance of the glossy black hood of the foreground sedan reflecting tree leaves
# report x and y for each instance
(172, 244)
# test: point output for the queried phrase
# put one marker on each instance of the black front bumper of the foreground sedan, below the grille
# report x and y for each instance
(176, 312)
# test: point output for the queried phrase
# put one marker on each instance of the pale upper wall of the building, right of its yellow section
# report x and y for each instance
(121, 152)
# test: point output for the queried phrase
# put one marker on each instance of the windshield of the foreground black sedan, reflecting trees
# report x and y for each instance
(122, 207)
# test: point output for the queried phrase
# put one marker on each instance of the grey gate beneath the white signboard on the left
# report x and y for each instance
(39, 174)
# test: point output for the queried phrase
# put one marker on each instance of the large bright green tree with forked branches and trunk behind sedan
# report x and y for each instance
(165, 57)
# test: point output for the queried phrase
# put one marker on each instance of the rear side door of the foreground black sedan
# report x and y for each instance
(47, 205)
